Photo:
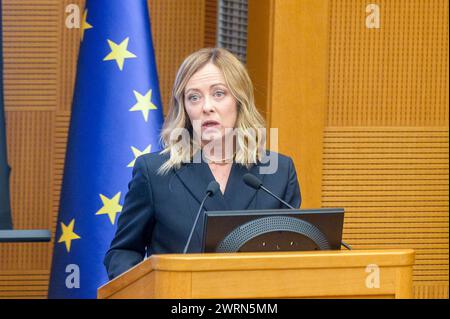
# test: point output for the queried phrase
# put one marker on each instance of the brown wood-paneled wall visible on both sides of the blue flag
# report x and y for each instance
(40, 56)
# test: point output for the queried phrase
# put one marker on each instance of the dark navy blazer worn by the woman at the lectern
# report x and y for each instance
(159, 210)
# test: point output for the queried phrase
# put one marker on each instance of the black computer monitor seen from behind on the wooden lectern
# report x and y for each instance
(273, 230)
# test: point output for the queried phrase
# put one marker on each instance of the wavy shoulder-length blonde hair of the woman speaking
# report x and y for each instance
(249, 147)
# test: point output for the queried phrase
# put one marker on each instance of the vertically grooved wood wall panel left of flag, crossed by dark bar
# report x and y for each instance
(30, 186)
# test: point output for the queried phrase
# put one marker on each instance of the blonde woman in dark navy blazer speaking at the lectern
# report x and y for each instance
(211, 133)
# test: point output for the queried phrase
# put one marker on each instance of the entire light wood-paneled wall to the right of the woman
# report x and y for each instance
(369, 112)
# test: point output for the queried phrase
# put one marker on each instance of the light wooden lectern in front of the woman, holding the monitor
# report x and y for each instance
(317, 274)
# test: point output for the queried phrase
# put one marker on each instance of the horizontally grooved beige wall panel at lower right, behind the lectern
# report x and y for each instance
(392, 195)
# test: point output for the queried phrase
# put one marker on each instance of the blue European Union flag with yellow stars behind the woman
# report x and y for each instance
(116, 116)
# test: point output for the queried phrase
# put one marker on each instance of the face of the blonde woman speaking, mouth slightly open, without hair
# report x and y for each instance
(209, 103)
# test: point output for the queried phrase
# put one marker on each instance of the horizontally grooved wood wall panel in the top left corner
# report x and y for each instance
(30, 52)
